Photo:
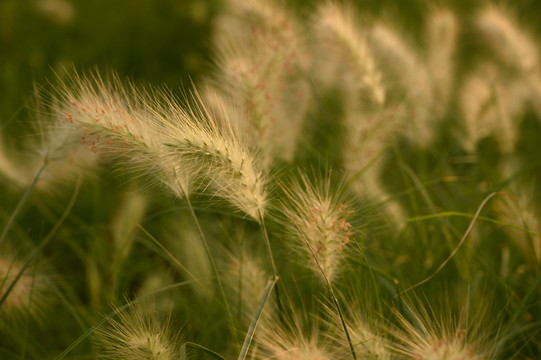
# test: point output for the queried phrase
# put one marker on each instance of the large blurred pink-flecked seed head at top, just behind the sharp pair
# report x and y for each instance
(262, 60)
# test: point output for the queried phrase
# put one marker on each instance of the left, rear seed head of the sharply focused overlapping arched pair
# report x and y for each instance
(122, 121)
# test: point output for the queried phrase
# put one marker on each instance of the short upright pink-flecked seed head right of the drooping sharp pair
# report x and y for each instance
(318, 221)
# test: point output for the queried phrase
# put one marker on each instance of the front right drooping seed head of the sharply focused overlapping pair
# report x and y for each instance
(210, 148)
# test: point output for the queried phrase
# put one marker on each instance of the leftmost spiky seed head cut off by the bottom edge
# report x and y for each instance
(139, 335)
